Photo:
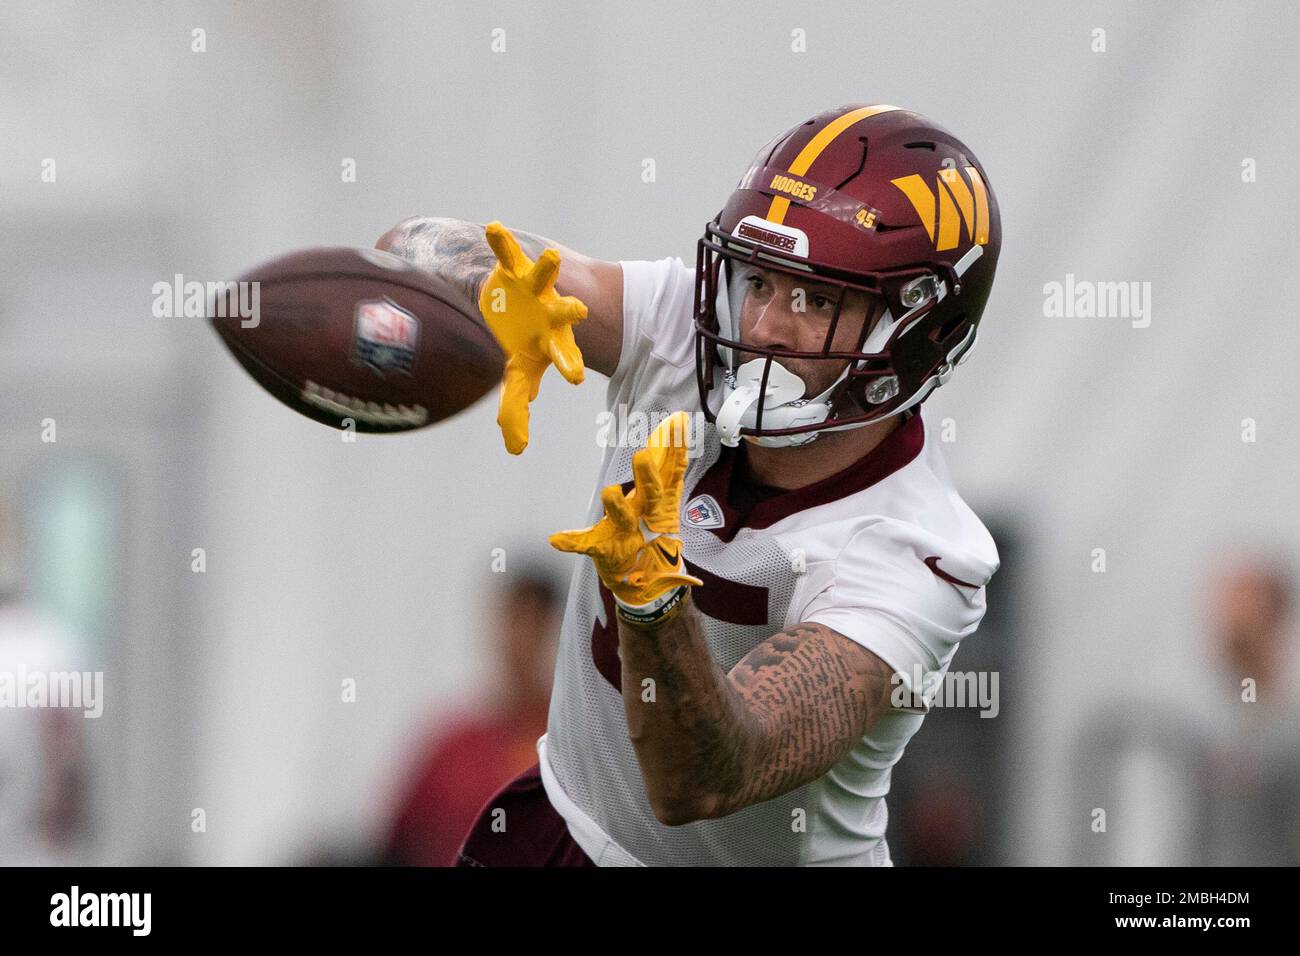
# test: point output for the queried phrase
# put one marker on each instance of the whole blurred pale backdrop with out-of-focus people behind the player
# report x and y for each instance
(293, 669)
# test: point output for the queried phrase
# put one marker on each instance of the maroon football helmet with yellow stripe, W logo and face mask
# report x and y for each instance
(874, 200)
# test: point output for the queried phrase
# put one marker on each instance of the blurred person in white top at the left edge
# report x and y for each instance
(41, 749)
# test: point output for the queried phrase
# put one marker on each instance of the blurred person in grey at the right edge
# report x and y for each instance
(1253, 775)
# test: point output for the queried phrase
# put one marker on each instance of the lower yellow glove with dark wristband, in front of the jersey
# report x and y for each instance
(635, 546)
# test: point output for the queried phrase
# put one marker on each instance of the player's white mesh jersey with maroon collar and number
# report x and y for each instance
(850, 552)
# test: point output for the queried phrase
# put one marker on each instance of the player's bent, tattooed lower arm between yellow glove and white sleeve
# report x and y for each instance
(710, 743)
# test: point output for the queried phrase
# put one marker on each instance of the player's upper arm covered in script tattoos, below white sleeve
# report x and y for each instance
(814, 694)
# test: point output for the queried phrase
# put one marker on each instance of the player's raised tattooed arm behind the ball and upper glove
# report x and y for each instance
(458, 252)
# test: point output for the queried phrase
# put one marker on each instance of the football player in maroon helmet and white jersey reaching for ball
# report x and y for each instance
(738, 660)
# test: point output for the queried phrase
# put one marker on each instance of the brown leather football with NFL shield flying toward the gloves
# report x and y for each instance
(358, 336)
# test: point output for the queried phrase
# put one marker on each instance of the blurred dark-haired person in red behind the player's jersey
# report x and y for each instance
(467, 759)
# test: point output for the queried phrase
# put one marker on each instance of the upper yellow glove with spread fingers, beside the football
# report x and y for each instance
(532, 325)
